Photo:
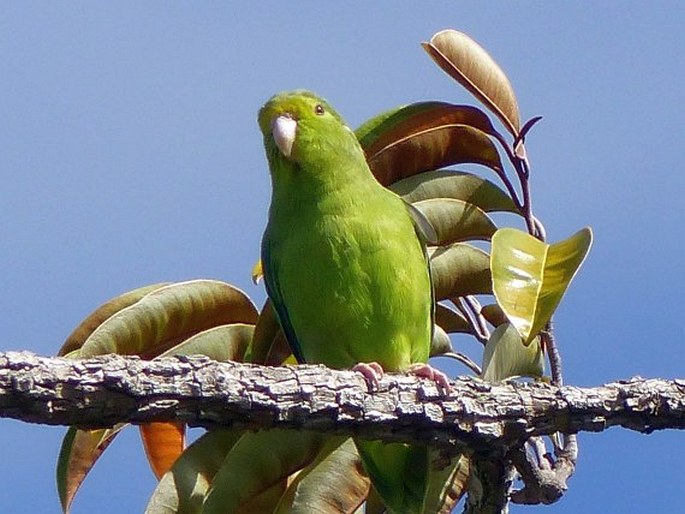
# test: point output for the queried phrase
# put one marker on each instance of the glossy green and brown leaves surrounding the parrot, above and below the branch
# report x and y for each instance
(407, 148)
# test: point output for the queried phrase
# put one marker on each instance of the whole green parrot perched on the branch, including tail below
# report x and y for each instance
(346, 269)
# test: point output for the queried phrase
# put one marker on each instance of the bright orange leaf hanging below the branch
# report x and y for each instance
(163, 442)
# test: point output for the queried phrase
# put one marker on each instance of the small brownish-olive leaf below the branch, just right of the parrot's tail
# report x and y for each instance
(448, 479)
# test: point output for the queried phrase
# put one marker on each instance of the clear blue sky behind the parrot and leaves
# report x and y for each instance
(129, 154)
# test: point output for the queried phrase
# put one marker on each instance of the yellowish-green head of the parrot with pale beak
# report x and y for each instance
(302, 130)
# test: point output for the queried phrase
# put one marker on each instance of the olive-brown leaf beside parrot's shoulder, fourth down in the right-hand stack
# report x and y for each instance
(456, 220)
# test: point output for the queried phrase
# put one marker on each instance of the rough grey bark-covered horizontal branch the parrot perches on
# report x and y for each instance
(476, 417)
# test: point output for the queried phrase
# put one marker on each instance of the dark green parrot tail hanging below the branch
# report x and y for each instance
(398, 471)
